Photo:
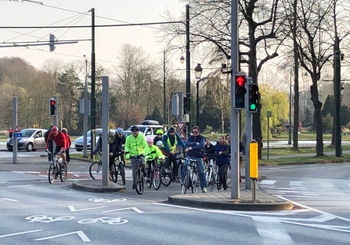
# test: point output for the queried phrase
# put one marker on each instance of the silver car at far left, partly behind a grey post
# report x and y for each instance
(31, 140)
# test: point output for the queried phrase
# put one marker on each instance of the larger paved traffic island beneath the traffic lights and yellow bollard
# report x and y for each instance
(223, 200)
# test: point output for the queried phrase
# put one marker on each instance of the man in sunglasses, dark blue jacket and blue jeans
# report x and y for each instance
(195, 148)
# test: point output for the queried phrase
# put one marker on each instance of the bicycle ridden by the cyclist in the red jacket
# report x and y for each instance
(57, 167)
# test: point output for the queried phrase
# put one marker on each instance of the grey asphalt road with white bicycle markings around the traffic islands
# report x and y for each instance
(35, 212)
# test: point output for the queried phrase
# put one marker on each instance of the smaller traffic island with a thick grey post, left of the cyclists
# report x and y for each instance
(96, 186)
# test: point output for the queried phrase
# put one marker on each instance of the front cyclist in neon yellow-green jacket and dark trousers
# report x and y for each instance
(135, 145)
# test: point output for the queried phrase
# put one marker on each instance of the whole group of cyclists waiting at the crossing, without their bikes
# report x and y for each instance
(164, 147)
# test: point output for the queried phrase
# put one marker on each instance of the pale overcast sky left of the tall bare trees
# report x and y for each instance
(76, 12)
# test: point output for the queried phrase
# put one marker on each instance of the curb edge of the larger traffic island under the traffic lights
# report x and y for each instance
(234, 205)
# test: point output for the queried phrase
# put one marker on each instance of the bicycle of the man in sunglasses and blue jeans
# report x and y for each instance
(191, 178)
